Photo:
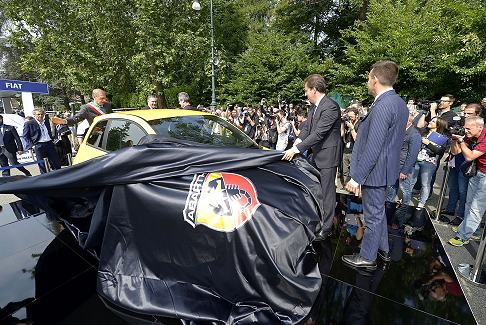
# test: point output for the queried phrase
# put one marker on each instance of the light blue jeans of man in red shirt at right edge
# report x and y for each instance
(475, 206)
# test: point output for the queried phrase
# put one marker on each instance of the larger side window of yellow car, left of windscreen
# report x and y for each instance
(121, 134)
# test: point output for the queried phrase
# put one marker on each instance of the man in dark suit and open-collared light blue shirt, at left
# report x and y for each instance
(37, 132)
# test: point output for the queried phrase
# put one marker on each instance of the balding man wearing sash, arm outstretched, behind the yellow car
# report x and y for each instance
(88, 111)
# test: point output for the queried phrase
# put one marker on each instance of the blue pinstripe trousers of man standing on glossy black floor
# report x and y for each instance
(376, 233)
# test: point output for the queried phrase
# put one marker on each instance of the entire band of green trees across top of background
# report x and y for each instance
(265, 48)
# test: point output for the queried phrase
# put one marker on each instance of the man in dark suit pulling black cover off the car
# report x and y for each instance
(321, 134)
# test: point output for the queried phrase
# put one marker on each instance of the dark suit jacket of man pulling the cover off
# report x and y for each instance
(321, 132)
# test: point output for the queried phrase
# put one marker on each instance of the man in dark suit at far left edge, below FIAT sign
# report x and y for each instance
(10, 145)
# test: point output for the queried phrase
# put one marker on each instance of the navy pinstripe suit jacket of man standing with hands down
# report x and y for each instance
(375, 160)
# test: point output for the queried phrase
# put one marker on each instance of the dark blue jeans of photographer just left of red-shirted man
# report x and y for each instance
(457, 184)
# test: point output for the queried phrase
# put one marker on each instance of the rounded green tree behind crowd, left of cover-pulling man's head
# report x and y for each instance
(273, 67)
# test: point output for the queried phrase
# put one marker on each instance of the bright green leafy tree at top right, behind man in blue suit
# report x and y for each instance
(439, 45)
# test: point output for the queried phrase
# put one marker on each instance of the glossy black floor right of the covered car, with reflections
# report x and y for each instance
(417, 286)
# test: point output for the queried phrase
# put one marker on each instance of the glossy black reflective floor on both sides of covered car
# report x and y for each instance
(47, 279)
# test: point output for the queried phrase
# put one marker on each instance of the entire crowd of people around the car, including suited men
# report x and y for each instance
(380, 153)
